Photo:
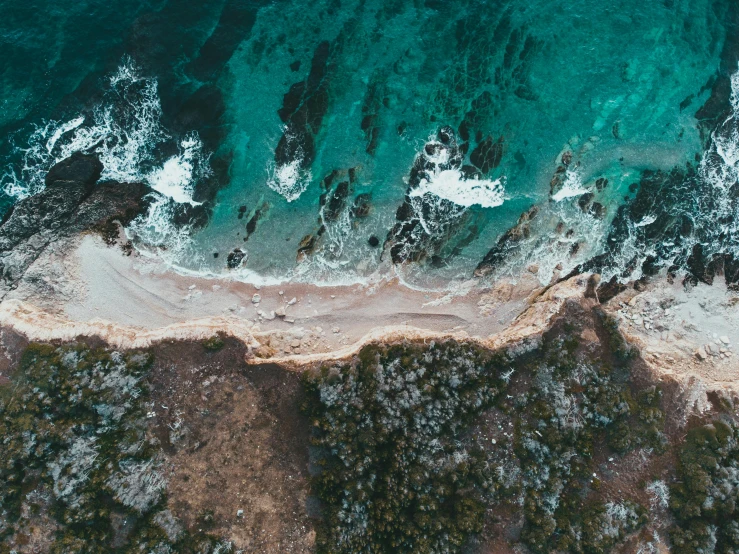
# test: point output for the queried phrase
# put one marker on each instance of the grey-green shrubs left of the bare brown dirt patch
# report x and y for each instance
(78, 470)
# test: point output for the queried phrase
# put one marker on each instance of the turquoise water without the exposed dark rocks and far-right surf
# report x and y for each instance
(617, 84)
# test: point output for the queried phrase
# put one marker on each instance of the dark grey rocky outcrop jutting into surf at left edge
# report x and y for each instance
(71, 203)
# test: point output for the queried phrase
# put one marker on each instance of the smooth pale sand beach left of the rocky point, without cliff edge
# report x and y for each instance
(87, 284)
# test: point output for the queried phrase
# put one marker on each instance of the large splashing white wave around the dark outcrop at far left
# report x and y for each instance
(124, 131)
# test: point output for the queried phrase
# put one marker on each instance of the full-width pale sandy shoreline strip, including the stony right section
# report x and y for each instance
(91, 289)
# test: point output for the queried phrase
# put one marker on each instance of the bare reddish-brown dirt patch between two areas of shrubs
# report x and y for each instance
(236, 446)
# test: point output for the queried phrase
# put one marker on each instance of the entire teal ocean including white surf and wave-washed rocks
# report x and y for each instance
(342, 141)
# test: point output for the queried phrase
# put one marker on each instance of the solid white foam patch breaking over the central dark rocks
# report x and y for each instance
(452, 185)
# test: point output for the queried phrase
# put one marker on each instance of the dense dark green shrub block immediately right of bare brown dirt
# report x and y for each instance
(395, 481)
